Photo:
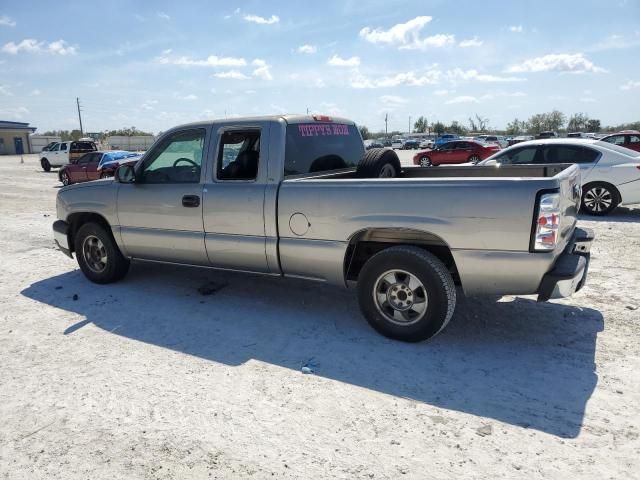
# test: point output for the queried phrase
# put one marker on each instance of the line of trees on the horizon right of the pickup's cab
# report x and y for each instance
(555, 121)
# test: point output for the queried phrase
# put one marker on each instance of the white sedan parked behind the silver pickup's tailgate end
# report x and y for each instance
(610, 173)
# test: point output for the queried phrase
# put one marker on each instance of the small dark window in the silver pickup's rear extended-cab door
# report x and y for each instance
(239, 155)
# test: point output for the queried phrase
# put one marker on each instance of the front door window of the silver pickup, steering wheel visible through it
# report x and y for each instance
(177, 159)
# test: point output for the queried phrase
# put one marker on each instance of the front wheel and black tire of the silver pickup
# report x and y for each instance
(116, 265)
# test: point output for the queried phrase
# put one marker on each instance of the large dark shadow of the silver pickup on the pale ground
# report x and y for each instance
(518, 362)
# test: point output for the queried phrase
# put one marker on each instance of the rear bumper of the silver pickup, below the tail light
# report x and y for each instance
(569, 272)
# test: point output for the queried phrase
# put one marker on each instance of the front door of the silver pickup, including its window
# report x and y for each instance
(160, 215)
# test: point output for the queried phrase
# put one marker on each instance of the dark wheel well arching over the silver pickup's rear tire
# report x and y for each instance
(367, 243)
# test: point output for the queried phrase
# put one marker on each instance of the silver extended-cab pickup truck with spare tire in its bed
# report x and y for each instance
(297, 196)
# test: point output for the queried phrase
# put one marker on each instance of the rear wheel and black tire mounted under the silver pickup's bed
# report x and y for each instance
(436, 284)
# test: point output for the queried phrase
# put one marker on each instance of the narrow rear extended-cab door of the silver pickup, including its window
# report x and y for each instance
(234, 199)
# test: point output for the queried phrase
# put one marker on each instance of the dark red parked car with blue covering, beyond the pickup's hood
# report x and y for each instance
(95, 165)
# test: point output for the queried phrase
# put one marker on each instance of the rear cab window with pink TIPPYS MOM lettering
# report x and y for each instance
(313, 147)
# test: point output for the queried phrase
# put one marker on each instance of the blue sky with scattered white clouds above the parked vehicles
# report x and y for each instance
(157, 64)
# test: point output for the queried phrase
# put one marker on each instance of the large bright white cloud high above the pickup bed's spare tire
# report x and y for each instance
(406, 36)
